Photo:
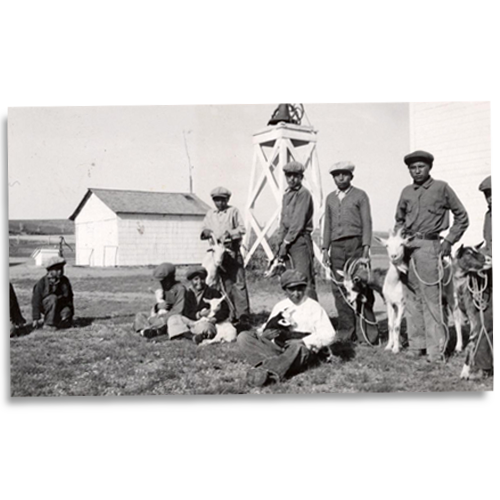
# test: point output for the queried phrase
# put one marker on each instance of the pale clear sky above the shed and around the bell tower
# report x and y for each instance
(58, 149)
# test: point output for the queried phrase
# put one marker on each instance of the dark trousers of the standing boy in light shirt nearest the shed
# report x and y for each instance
(235, 286)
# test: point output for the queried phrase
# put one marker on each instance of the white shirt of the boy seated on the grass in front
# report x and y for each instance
(309, 317)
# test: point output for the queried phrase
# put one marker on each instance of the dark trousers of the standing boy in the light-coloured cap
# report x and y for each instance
(348, 322)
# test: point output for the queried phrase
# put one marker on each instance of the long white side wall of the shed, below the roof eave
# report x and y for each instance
(153, 239)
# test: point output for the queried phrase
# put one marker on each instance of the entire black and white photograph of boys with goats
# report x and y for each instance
(232, 247)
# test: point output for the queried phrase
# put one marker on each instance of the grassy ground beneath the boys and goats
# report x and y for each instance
(101, 356)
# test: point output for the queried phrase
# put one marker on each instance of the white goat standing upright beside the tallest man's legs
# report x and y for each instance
(393, 286)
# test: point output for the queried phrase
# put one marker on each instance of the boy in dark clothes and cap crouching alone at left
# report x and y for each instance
(52, 299)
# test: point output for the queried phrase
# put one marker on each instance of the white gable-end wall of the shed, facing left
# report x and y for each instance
(96, 234)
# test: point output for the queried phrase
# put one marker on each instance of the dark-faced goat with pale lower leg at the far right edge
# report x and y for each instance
(467, 264)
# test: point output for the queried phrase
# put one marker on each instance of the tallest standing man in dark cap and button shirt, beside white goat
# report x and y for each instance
(423, 212)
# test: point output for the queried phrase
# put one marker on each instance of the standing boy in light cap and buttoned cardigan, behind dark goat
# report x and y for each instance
(348, 235)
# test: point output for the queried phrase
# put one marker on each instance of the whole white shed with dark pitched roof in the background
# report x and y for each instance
(134, 228)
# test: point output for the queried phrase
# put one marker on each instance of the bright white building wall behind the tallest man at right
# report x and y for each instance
(458, 134)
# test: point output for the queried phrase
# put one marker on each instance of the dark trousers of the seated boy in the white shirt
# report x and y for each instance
(262, 353)
